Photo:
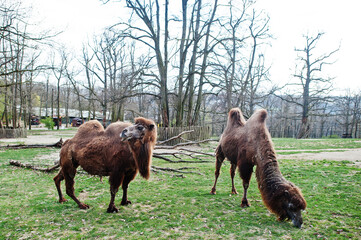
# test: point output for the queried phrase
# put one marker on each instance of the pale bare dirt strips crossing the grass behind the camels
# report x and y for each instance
(353, 155)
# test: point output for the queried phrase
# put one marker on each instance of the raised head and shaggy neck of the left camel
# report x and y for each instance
(141, 138)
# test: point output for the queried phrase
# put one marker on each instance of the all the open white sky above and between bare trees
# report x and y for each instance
(289, 21)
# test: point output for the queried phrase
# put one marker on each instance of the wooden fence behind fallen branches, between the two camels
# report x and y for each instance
(199, 133)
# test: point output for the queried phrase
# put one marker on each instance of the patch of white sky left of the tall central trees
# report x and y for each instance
(78, 20)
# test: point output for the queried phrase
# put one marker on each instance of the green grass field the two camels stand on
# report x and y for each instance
(171, 207)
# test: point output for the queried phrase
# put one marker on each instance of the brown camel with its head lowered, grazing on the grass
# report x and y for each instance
(246, 144)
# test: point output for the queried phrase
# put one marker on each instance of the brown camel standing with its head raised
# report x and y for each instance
(119, 152)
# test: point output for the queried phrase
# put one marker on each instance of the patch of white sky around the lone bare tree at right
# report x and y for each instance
(340, 21)
